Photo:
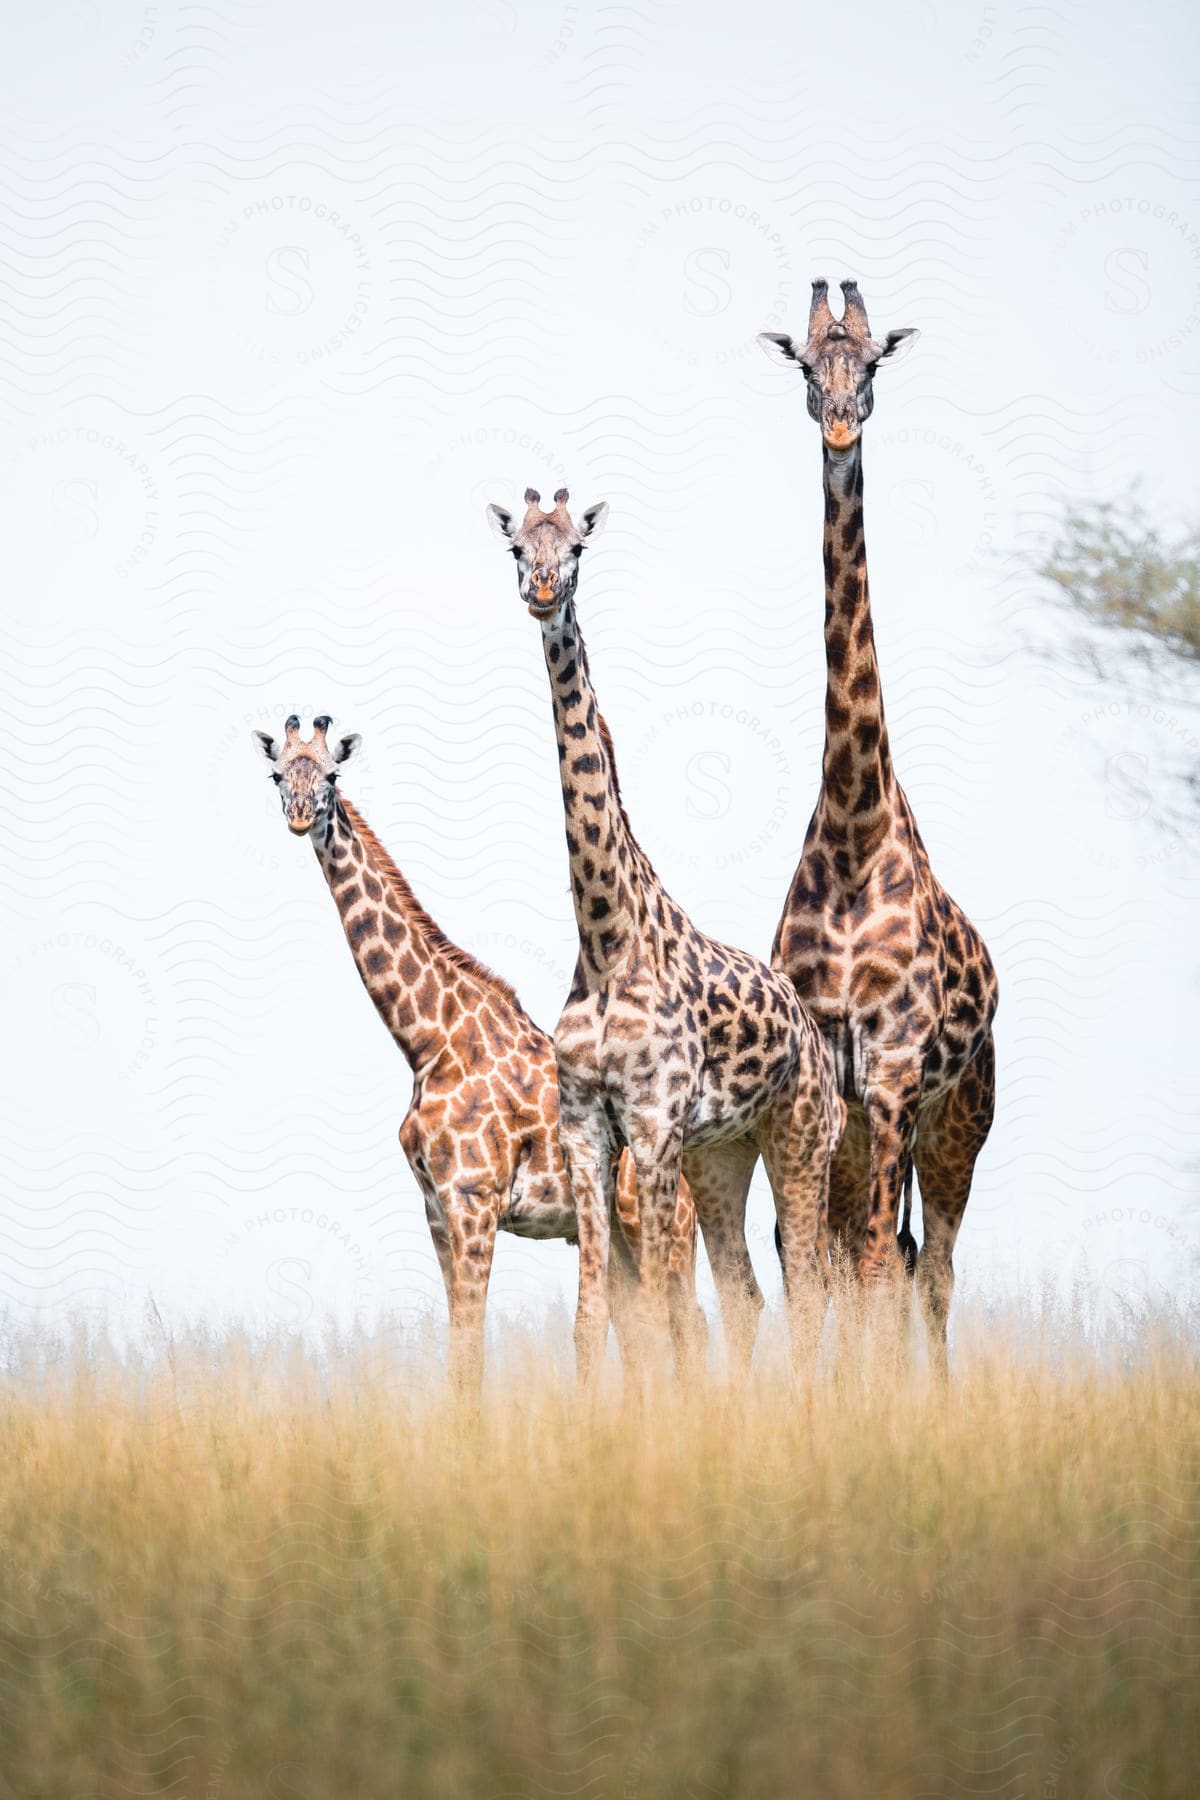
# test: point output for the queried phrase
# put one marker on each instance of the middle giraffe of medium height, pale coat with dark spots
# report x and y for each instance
(685, 1052)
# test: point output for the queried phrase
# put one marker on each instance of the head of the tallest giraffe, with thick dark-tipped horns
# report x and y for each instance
(839, 363)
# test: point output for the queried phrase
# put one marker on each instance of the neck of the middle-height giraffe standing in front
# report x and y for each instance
(609, 870)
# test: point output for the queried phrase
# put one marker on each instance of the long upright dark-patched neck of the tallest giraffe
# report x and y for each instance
(857, 766)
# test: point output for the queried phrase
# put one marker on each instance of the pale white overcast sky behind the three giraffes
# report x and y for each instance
(289, 294)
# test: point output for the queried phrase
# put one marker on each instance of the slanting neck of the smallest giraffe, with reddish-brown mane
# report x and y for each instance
(407, 966)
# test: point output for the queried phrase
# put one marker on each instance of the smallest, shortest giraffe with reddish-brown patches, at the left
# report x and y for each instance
(481, 1133)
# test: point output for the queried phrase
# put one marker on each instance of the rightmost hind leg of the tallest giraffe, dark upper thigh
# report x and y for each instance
(951, 1137)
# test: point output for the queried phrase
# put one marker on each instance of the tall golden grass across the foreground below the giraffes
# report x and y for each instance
(240, 1570)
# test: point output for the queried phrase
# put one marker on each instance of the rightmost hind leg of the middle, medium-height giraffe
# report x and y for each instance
(798, 1151)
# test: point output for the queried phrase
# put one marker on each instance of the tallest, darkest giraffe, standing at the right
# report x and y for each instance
(895, 973)
